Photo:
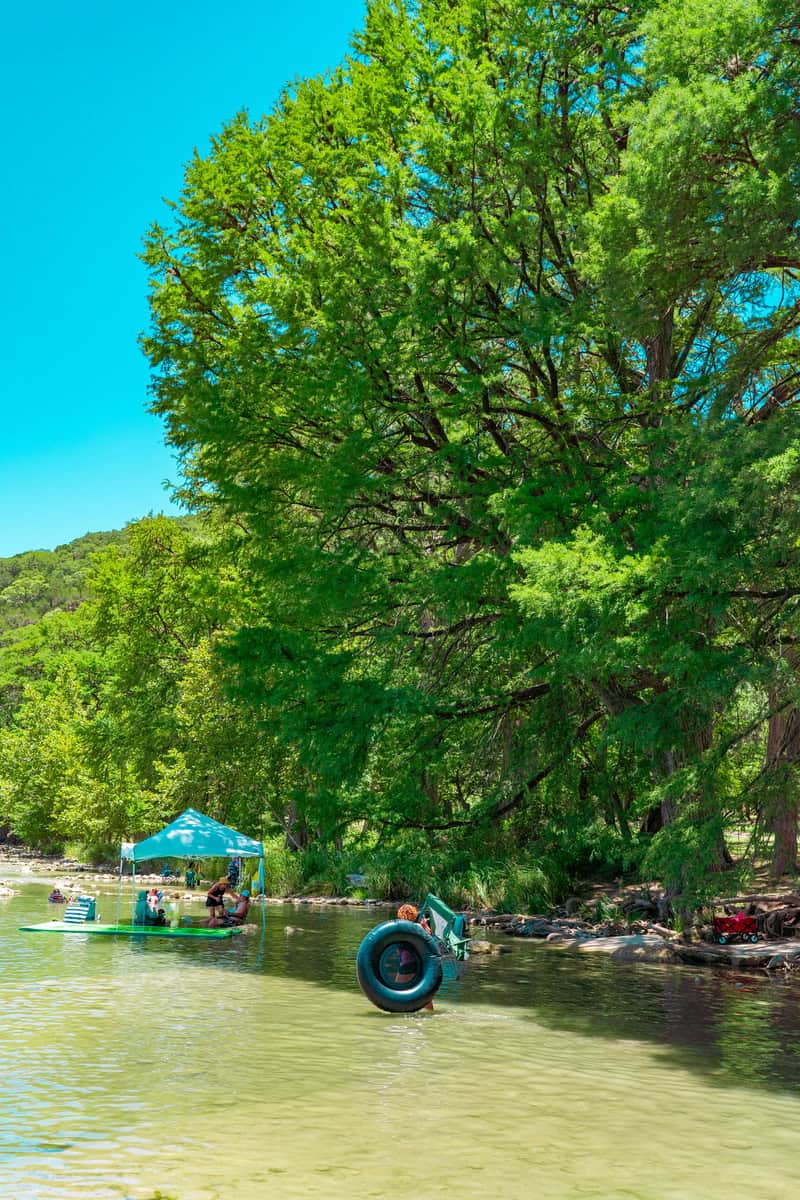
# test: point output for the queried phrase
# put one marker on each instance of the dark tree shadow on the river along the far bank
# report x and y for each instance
(733, 1030)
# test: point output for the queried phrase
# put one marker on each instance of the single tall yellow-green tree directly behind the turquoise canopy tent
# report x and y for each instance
(164, 712)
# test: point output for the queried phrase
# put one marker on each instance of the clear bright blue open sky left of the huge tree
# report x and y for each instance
(105, 105)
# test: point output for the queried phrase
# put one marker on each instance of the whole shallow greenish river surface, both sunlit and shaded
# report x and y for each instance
(256, 1069)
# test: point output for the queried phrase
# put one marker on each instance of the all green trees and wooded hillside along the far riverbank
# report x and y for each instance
(482, 359)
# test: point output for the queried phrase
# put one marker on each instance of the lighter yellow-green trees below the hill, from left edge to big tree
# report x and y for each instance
(127, 718)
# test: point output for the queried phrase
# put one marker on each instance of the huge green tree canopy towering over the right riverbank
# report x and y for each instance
(490, 343)
